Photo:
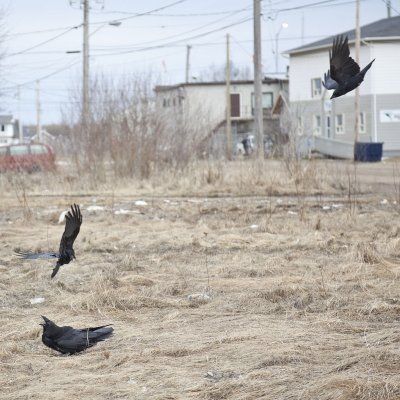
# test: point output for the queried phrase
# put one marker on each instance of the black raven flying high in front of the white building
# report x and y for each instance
(344, 74)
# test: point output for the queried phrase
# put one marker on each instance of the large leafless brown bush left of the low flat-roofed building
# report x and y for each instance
(133, 134)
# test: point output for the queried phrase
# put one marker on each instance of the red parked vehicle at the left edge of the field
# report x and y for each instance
(28, 157)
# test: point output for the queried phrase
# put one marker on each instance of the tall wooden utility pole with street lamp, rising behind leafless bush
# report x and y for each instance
(85, 82)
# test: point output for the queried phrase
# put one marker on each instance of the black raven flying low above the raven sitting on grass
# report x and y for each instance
(66, 252)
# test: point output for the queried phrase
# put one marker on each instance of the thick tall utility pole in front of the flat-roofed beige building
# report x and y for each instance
(258, 113)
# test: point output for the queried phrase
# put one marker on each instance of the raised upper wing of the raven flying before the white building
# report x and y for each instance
(342, 66)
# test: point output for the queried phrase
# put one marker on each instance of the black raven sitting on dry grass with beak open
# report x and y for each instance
(68, 340)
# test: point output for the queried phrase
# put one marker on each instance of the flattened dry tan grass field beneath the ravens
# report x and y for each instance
(228, 281)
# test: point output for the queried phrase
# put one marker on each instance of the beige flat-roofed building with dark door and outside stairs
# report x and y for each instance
(209, 99)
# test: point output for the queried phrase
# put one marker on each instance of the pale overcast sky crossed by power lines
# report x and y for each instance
(39, 33)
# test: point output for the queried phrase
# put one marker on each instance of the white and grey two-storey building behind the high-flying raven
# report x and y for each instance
(333, 120)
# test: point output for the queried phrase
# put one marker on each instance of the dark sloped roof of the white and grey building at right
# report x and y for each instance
(382, 29)
